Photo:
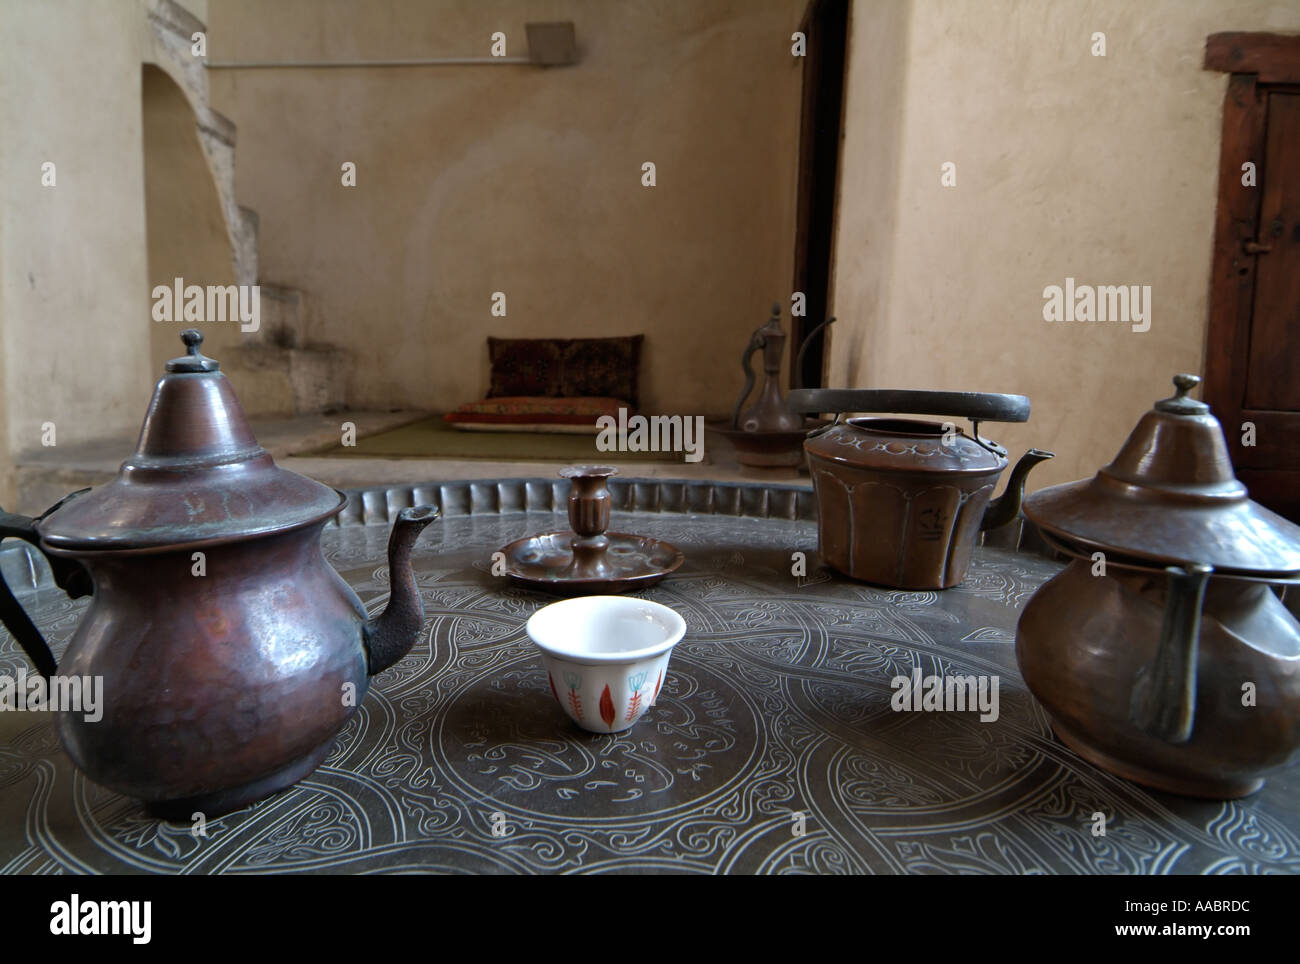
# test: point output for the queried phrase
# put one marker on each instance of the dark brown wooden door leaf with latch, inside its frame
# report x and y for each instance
(1273, 372)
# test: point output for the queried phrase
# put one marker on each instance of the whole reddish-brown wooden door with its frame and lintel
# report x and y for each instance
(1253, 358)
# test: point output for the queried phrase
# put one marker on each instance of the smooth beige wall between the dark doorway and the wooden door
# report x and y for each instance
(1103, 170)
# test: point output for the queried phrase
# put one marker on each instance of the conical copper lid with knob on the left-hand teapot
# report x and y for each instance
(198, 476)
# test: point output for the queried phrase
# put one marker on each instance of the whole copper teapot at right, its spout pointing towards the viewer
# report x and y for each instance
(1162, 653)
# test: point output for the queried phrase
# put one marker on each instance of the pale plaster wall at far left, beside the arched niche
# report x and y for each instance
(73, 307)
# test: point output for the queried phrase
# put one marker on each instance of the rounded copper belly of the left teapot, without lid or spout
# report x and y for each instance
(214, 683)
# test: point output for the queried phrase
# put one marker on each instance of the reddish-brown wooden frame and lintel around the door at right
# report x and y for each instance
(1258, 64)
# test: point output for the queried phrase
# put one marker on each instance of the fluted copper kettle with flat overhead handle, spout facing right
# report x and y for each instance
(900, 501)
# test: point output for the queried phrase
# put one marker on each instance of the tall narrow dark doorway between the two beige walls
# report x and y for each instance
(826, 28)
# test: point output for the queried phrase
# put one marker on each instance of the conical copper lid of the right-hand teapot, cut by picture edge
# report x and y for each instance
(1172, 497)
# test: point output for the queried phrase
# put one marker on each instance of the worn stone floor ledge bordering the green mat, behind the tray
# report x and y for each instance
(46, 476)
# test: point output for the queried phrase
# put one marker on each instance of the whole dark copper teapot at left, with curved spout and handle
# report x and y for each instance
(229, 650)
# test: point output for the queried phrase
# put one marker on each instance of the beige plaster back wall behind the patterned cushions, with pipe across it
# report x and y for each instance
(474, 180)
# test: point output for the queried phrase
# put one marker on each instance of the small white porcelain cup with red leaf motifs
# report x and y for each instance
(606, 657)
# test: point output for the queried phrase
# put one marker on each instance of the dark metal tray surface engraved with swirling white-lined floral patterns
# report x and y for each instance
(774, 717)
